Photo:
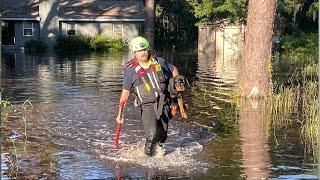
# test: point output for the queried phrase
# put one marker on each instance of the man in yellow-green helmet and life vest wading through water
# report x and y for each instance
(147, 77)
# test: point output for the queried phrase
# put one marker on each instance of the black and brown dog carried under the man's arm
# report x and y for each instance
(176, 89)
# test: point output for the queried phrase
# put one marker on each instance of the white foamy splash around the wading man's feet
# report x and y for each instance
(167, 159)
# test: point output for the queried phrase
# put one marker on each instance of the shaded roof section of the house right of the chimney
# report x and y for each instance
(102, 11)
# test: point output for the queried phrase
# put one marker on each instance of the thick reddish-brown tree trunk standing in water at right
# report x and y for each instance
(255, 74)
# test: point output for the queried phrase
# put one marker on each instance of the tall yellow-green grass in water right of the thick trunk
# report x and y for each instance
(299, 100)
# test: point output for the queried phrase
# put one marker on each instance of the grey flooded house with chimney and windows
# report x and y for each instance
(45, 20)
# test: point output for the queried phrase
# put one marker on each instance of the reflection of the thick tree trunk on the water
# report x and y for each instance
(253, 127)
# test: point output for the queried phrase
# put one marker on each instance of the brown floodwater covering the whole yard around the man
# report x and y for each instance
(61, 124)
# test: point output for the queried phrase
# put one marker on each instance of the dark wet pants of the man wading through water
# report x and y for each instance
(156, 130)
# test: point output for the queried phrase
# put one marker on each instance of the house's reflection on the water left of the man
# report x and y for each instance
(46, 76)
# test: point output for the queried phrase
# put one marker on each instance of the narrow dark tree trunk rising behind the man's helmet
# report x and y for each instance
(149, 23)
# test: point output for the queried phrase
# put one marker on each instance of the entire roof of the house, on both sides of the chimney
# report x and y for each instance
(77, 10)
